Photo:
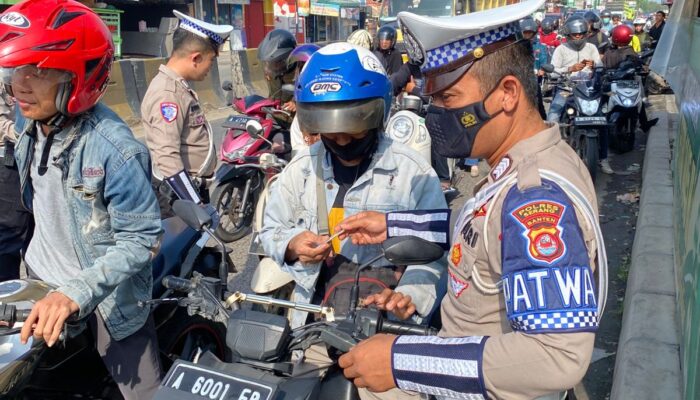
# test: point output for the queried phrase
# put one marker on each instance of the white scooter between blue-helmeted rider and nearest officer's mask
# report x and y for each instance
(407, 126)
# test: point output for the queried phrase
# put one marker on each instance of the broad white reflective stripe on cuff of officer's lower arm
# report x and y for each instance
(436, 365)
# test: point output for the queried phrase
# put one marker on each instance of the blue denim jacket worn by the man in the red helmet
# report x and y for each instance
(115, 216)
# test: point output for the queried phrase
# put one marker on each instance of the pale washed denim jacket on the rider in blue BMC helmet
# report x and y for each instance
(397, 179)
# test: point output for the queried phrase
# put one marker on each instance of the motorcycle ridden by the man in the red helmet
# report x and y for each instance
(36, 371)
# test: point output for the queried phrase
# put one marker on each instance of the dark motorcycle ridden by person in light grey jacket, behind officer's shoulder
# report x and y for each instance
(582, 121)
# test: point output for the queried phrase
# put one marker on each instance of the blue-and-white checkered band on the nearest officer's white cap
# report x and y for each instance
(448, 53)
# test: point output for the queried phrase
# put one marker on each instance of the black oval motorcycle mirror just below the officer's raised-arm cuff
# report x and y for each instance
(411, 250)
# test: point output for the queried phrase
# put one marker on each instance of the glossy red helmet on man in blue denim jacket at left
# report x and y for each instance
(61, 35)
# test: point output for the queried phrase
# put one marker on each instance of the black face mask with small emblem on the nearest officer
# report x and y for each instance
(454, 130)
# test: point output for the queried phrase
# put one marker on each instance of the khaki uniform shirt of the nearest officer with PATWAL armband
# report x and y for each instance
(512, 361)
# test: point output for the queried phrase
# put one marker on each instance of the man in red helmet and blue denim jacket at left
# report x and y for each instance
(87, 181)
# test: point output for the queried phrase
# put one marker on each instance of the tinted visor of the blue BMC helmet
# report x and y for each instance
(341, 117)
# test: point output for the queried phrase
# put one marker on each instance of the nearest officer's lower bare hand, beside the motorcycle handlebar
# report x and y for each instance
(369, 363)
